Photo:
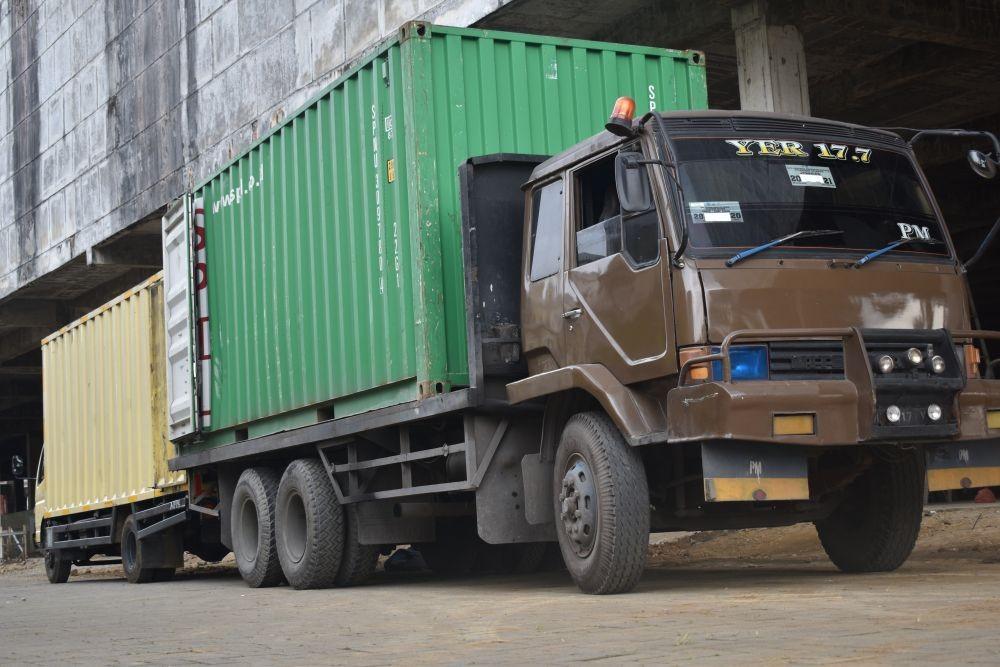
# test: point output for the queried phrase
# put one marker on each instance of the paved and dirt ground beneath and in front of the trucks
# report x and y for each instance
(721, 597)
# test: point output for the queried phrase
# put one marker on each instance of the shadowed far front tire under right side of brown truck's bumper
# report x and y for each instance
(875, 527)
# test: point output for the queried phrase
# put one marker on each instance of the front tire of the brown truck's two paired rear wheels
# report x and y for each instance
(310, 526)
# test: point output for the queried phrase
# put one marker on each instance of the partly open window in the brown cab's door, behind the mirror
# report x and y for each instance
(602, 229)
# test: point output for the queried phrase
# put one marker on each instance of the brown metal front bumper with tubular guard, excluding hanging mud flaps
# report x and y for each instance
(846, 411)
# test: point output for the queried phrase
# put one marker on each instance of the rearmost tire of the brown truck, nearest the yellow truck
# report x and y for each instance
(253, 527)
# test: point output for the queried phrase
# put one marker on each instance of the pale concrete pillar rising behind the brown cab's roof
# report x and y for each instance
(771, 62)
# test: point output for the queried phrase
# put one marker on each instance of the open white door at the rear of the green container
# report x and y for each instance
(178, 307)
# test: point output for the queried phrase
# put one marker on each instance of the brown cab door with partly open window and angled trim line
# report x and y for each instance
(617, 305)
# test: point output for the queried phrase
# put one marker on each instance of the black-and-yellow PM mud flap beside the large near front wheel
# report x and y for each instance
(752, 472)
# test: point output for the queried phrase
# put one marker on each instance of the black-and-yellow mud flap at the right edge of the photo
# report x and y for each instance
(963, 465)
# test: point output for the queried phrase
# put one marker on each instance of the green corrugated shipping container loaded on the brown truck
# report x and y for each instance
(332, 247)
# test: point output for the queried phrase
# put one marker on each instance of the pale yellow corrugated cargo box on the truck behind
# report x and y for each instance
(104, 412)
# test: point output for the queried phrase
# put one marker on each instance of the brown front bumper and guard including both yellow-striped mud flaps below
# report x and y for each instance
(735, 421)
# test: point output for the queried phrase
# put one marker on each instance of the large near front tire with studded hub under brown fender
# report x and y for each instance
(601, 501)
